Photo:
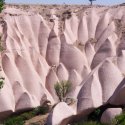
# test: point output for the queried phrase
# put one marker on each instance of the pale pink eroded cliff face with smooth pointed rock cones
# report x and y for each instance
(89, 52)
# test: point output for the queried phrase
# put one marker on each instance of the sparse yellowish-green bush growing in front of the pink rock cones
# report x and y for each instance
(62, 89)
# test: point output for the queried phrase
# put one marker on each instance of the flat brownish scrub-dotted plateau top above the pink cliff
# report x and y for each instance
(60, 11)
